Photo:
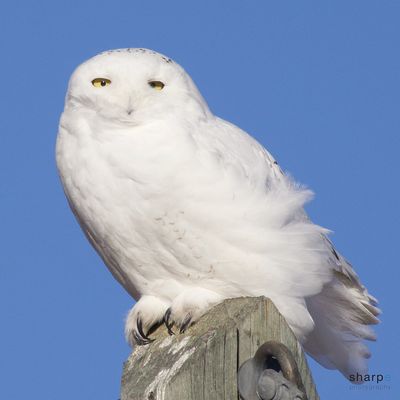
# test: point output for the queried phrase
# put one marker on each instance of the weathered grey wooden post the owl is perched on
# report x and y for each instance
(203, 362)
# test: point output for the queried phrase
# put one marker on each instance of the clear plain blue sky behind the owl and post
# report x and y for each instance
(316, 82)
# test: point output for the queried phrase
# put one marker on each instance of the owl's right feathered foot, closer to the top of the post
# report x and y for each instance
(188, 307)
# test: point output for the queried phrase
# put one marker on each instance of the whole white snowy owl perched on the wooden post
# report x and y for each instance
(187, 210)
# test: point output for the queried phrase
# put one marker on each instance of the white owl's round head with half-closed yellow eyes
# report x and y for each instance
(132, 86)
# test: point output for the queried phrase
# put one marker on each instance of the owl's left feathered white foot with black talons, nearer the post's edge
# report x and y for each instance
(145, 315)
